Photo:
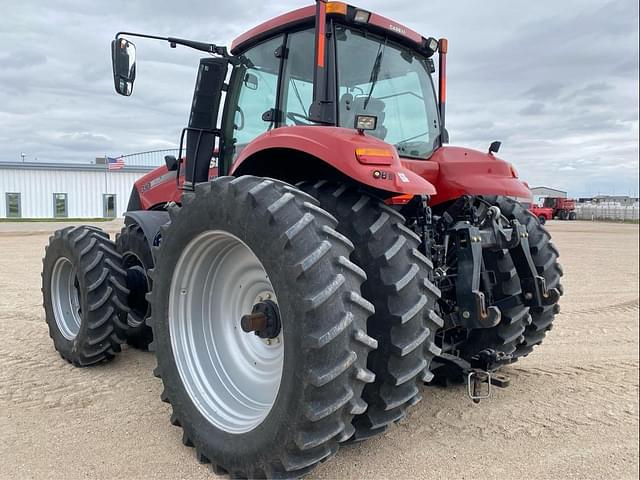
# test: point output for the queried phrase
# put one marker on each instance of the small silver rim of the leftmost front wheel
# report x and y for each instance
(65, 298)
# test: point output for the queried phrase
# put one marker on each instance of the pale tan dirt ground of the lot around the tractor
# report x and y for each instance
(571, 411)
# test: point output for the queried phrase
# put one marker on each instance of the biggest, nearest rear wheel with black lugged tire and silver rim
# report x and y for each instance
(256, 408)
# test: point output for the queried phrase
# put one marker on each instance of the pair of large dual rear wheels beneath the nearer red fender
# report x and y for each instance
(352, 345)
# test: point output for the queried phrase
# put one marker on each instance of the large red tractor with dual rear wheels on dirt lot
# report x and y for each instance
(318, 254)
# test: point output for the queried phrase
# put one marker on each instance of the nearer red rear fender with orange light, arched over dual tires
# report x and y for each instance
(336, 147)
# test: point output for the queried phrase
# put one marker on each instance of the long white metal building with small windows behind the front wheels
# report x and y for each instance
(65, 190)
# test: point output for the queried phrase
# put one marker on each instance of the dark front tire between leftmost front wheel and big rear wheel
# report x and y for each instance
(137, 260)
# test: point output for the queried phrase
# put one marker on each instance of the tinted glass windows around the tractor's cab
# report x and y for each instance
(376, 83)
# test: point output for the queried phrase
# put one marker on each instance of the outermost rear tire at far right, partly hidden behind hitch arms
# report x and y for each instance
(545, 256)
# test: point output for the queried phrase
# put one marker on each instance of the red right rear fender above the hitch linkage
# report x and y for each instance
(457, 171)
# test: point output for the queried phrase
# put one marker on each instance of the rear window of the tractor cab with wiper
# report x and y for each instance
(378, 77)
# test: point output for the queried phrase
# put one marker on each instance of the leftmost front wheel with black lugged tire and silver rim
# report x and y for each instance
(83, 288)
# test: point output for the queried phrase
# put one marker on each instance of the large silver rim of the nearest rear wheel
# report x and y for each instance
(232, 377)
